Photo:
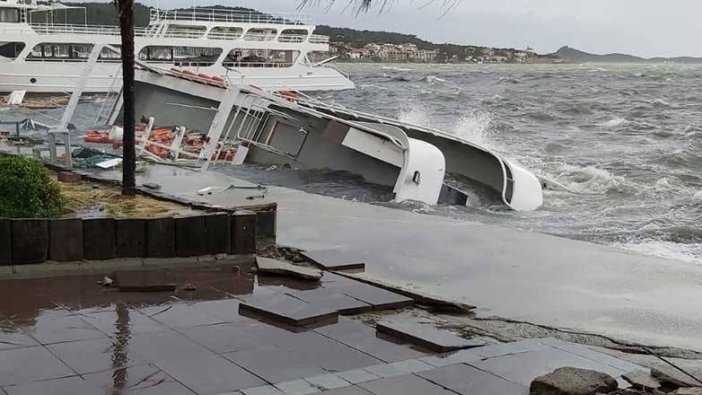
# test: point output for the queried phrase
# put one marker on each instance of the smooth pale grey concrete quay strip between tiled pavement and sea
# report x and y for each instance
(509, 273)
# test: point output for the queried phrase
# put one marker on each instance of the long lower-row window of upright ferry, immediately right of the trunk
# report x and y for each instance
(181, 56)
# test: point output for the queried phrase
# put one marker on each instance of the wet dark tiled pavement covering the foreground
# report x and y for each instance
(69, 335)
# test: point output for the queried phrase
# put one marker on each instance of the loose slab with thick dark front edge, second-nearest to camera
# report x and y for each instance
(288, 310)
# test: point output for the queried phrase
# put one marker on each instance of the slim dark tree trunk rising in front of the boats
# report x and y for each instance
(125, 9)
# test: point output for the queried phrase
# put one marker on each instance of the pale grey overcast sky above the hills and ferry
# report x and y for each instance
(640, 27)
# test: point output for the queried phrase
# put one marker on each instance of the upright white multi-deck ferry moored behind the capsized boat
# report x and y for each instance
(271, 51)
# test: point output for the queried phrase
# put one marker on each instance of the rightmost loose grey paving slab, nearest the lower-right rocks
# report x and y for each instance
(427, 336)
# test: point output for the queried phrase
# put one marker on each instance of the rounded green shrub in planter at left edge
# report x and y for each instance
(26, 189)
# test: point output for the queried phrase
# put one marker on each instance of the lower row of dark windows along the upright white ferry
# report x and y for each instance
(190, 56)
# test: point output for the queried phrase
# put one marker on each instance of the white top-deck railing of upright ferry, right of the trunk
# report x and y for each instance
(230, 16)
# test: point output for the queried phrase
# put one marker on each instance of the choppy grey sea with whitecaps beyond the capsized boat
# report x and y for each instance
(625, 139)
